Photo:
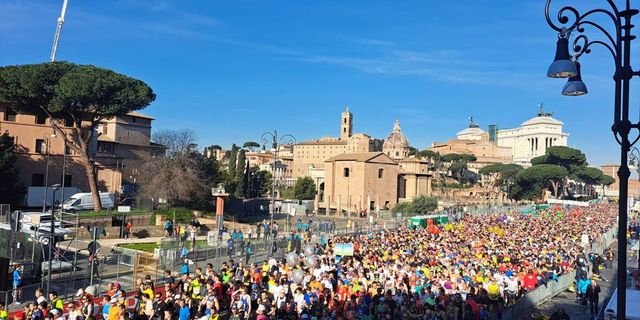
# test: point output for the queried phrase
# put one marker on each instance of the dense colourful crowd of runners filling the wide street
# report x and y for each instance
(469, 269)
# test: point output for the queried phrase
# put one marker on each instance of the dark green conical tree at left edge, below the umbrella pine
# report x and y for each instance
(11, 188)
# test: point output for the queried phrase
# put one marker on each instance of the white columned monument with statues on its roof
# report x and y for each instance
(533, 137)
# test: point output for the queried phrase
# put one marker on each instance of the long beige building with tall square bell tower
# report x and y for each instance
(312, 154)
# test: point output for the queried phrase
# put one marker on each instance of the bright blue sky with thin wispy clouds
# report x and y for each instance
(231, 70)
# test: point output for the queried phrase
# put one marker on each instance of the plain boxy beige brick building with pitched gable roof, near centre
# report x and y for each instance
(359, 183)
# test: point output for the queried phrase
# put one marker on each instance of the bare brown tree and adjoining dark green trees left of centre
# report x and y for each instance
(184, 176)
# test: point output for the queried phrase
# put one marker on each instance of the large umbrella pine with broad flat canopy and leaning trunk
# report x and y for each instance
(83, 94)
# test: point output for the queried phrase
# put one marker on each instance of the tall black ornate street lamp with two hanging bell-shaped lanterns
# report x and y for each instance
(618, 43)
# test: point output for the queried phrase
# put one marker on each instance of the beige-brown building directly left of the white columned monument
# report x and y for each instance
(475, 141)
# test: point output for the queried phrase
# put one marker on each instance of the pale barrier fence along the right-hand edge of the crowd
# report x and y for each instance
(544, 293)
